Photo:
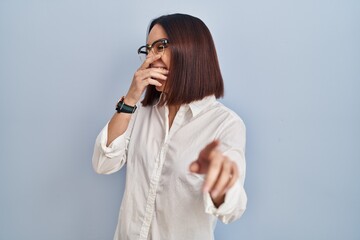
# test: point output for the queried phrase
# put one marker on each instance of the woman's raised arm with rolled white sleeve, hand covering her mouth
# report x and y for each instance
(111, 145)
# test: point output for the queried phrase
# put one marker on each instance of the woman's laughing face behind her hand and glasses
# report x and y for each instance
(156, 33)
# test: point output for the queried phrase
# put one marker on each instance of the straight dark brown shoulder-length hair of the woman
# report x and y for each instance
(194, 66)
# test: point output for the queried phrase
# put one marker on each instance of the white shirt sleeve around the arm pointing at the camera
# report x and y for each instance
(233, 146)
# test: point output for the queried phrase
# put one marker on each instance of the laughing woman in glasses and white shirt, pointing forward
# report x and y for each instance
(183, 150)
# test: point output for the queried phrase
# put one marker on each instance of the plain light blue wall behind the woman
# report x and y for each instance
(291, 70)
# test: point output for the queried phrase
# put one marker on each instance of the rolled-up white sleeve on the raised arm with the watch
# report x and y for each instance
(110, 159)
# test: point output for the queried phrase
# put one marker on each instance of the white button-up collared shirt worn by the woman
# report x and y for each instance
(162, 199)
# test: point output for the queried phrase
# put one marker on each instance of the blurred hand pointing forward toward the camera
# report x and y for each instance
(221, 172)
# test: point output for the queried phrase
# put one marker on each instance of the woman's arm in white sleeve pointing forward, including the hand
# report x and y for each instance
(224, 166)
